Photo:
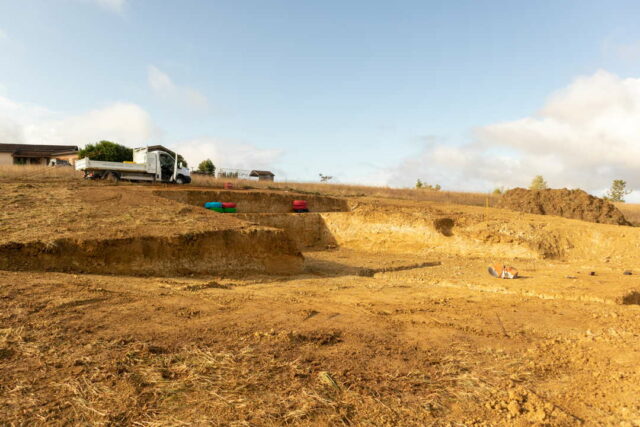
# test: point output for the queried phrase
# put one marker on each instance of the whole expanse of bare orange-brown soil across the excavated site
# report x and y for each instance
(390, 319)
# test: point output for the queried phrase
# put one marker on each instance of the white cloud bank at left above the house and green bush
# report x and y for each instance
(124, 123)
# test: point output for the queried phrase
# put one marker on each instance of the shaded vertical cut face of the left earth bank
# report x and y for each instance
(233, 251)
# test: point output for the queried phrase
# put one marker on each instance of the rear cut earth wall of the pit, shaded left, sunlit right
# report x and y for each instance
(369, 228)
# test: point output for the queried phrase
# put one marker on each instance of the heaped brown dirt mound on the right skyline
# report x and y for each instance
(575, 204)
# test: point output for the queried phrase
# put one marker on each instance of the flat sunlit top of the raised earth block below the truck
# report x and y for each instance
(46, 212)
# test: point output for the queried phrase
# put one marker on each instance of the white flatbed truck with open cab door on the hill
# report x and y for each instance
(149, 164)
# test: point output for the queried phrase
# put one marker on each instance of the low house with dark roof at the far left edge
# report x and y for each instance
(33, 154)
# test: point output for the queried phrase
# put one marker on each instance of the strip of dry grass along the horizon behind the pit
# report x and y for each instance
(347, 190)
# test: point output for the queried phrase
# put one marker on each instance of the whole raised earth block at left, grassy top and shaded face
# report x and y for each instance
(128, 230)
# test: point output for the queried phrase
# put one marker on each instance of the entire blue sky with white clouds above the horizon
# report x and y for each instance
(470, 94)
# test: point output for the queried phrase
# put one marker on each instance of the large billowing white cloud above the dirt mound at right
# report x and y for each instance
(585, 136)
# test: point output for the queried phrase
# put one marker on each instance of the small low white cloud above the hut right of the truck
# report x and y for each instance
(227, 154)
